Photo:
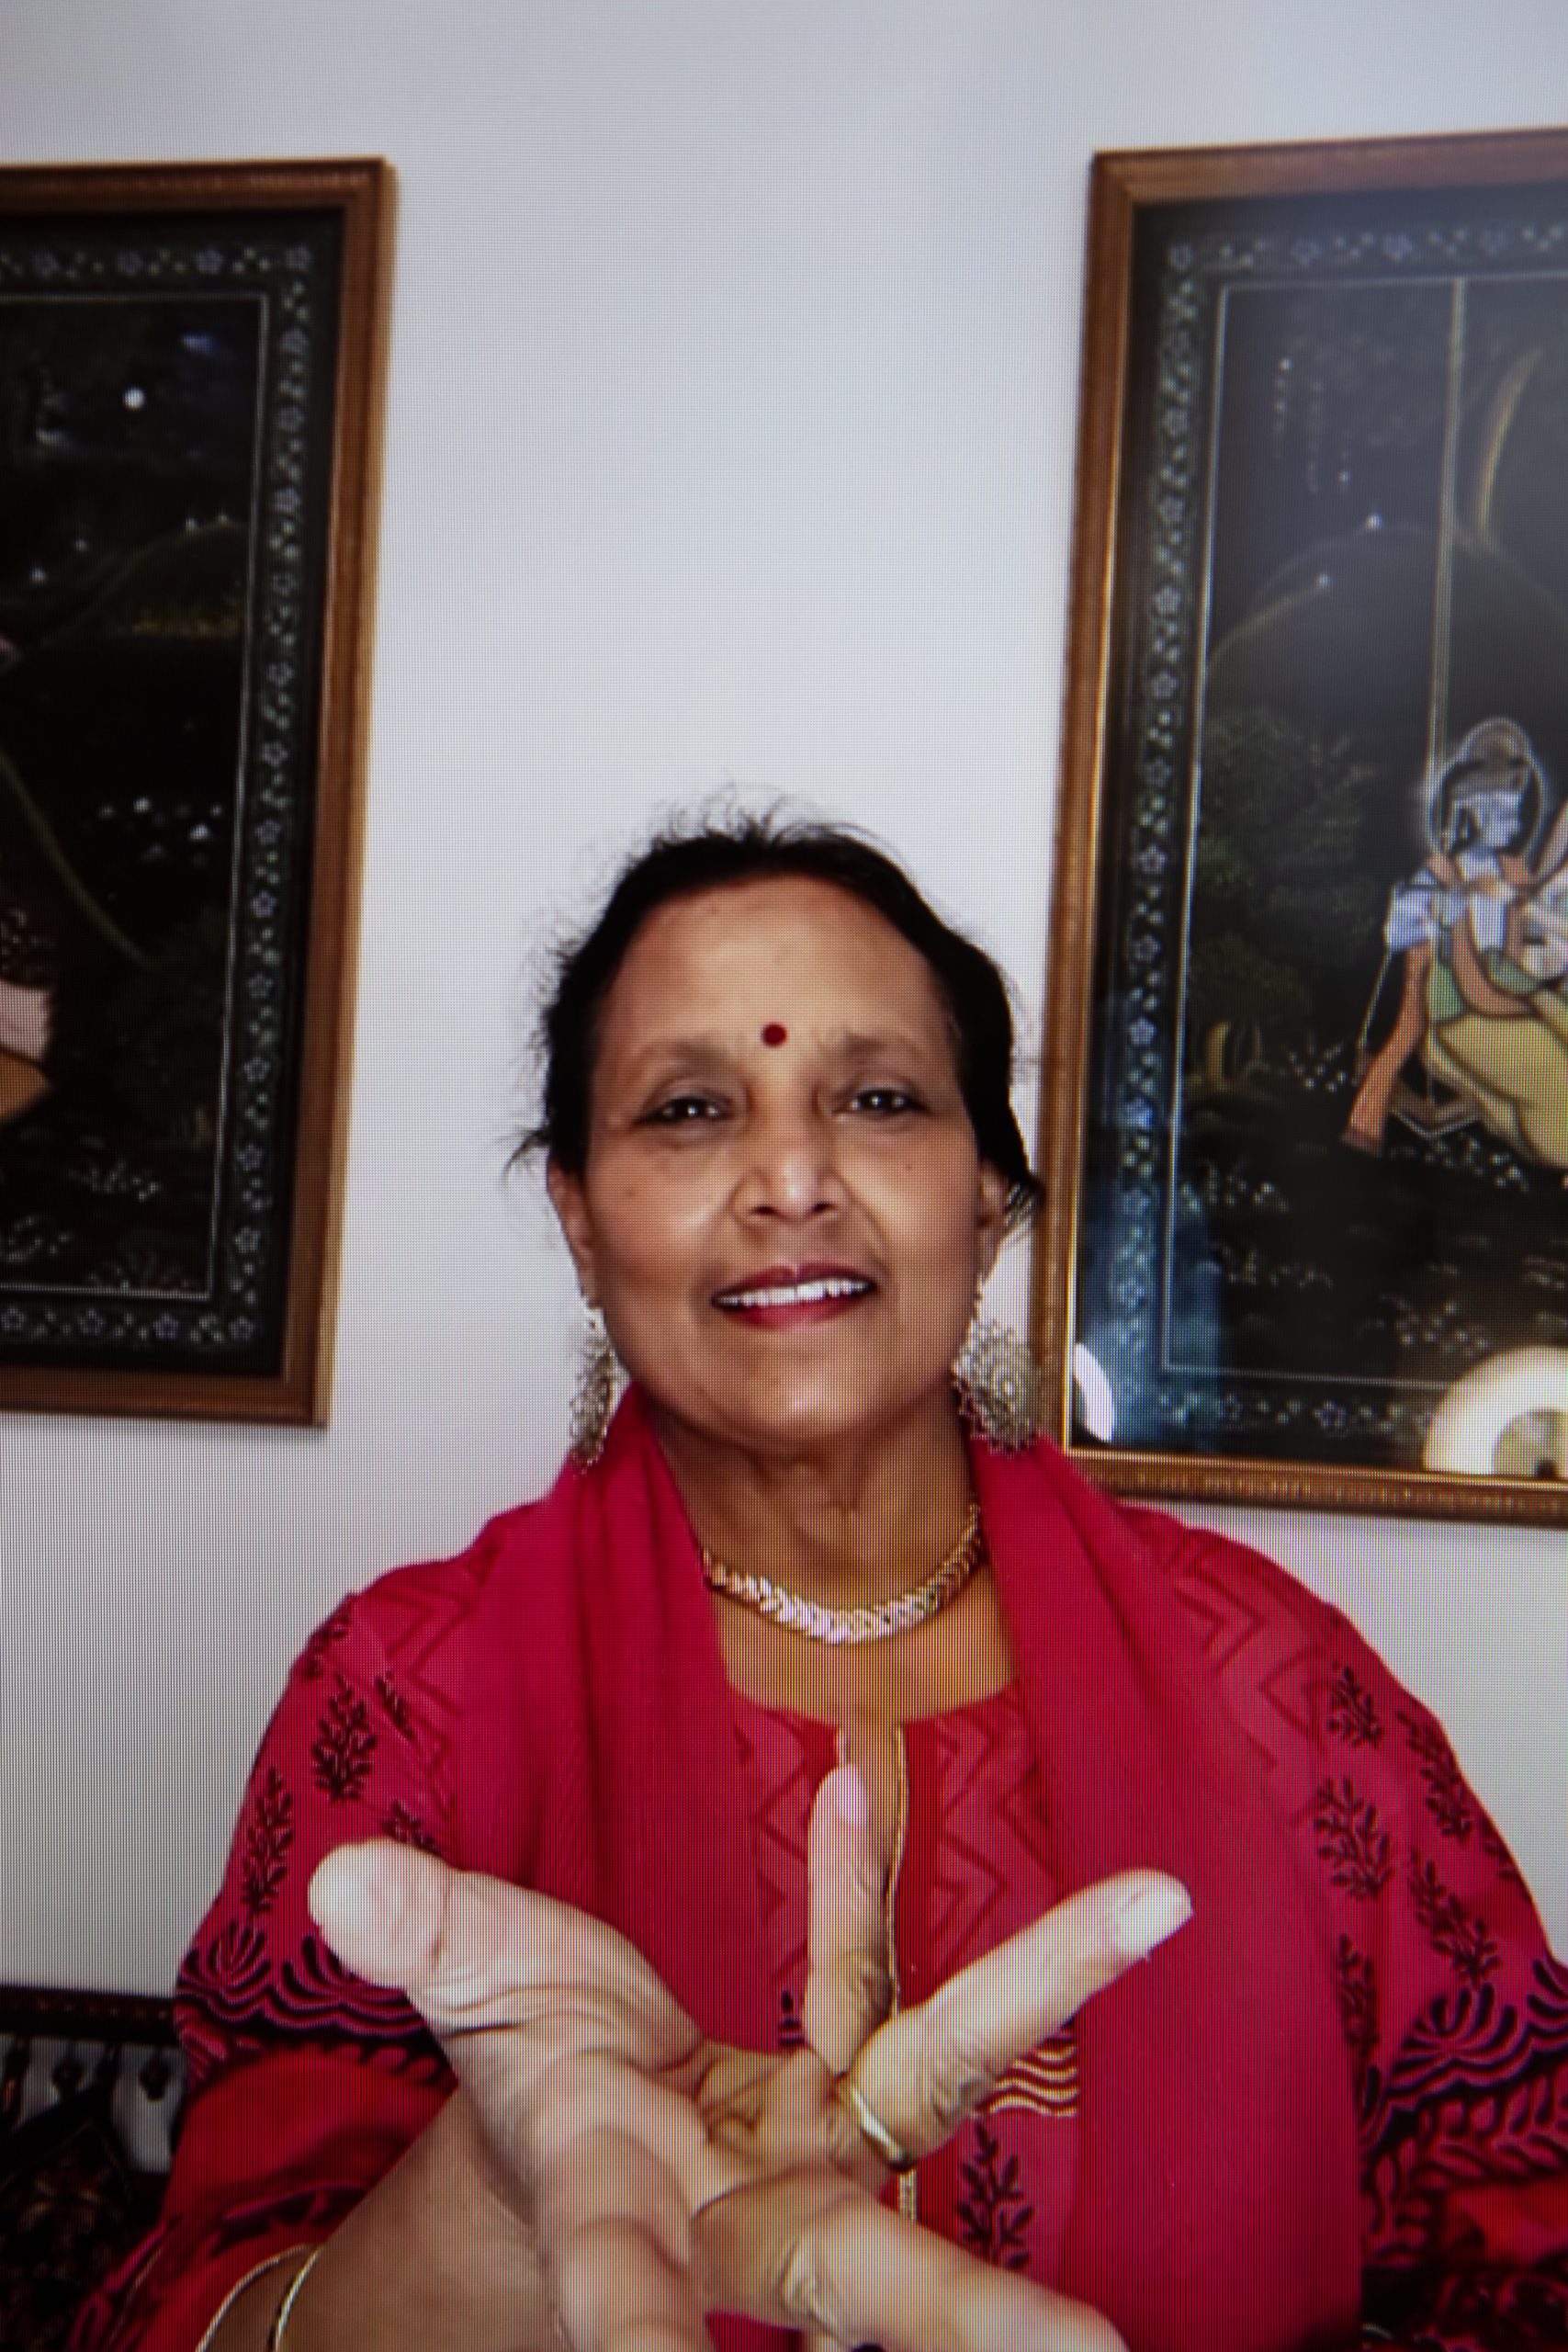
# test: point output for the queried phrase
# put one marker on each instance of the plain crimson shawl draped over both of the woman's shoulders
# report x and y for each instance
(1217, 2196)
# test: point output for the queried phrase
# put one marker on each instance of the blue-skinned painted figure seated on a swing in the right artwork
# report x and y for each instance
(1482, 935)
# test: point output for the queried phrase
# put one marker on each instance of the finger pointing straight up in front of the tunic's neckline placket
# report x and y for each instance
(847, 1979)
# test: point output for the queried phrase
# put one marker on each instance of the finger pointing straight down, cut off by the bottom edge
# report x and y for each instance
(617, 2247)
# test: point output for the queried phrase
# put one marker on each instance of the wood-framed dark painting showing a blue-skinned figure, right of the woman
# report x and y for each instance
(1308, 1038)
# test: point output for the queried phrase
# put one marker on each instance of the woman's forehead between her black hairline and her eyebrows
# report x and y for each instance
(770, 949)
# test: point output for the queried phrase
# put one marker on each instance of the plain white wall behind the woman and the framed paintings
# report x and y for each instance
(730, 439)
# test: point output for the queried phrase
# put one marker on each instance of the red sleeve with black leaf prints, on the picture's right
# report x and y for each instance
(1454, 2012)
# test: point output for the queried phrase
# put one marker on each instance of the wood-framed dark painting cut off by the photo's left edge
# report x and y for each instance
(192, 368)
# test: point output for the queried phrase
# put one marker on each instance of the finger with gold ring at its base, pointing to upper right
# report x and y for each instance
(930, 2066)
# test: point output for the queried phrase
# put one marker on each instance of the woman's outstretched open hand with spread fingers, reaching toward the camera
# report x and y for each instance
(666, 2177)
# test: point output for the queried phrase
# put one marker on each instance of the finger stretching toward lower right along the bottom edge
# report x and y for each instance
(812, 2252)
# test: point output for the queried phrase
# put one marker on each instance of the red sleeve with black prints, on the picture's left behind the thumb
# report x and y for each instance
(304, 2080)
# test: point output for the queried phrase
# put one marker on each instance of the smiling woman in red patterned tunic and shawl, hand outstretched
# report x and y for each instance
(763, 1826)
